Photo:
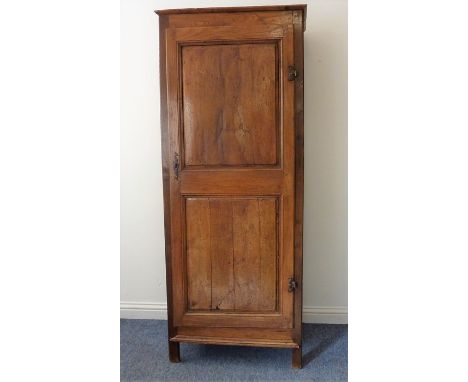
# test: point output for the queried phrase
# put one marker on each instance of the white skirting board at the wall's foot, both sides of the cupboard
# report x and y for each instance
(310, 314)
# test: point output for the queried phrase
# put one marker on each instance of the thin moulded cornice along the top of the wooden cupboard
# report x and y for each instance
(264, 8)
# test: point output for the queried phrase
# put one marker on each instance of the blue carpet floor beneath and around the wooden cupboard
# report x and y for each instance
(144, 357)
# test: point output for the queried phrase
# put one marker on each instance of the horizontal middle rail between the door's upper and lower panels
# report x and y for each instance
(234, 182)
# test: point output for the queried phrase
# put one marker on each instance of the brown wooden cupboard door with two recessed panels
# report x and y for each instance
(231, 138)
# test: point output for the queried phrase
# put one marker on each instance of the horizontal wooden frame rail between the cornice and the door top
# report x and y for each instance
(231, 19)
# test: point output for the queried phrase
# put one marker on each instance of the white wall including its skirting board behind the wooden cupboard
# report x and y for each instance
(143, 291)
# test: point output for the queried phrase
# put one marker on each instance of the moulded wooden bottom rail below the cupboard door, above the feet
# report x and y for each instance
(259, 333)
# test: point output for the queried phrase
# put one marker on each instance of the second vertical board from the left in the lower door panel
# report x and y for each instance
(222, 252)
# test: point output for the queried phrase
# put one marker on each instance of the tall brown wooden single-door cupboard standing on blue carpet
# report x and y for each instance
(232, 82)
